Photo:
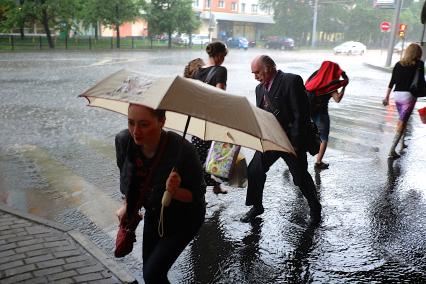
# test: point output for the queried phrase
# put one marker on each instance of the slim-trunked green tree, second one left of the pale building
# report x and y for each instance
(114, 13)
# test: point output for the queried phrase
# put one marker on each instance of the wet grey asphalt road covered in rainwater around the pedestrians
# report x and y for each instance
(57, 161)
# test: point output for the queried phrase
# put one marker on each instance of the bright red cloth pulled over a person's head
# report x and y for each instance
(326, 79)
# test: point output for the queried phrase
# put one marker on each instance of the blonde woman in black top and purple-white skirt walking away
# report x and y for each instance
(402, 77)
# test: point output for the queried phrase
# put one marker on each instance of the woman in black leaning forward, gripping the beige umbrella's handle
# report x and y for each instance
(147, 157)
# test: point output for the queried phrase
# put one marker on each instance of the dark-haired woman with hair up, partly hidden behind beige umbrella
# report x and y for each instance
(216, 75)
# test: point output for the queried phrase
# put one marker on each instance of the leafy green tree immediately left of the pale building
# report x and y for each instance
(168, 16)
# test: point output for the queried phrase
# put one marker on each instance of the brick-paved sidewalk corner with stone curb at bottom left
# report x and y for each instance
(35, 250)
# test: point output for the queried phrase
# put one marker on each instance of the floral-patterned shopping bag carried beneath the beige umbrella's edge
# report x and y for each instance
(221, 159)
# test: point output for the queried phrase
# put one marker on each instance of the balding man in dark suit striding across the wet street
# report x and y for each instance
(284, 95)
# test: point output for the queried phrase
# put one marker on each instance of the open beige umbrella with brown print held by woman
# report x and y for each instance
(211, 113)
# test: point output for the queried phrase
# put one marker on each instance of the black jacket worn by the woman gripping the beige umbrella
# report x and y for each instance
(179, 214)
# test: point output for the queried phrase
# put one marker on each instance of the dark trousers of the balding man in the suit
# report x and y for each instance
(298, 167)
